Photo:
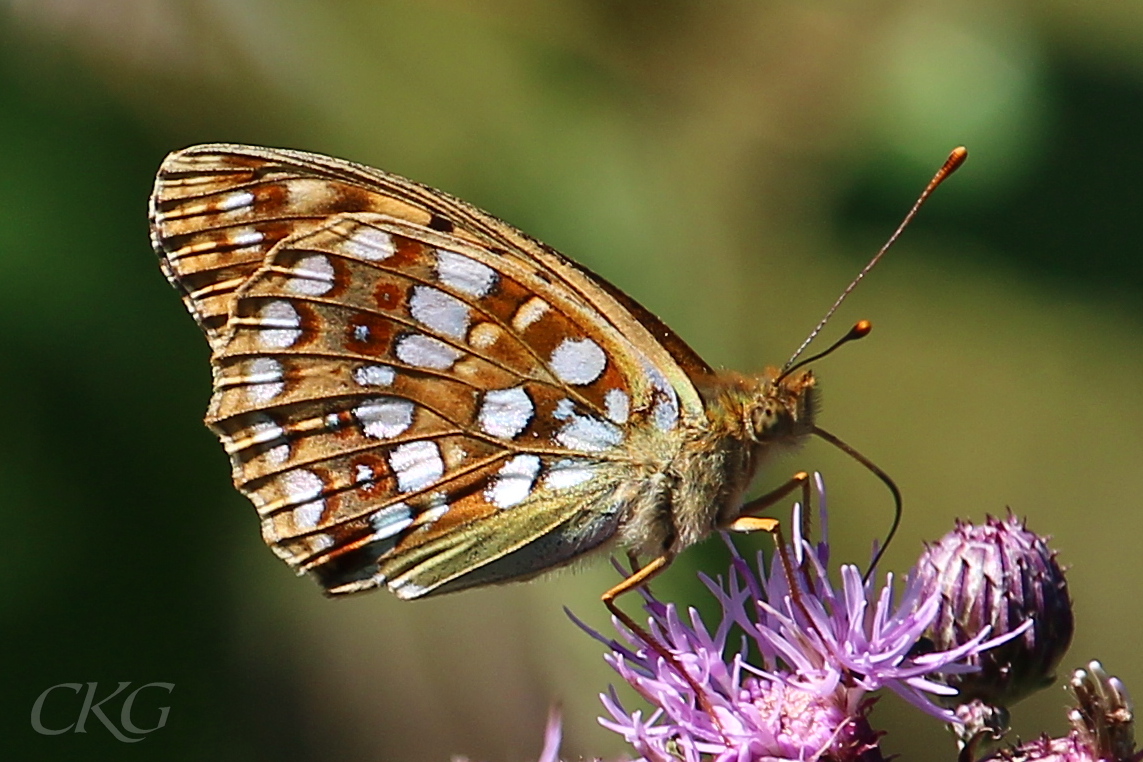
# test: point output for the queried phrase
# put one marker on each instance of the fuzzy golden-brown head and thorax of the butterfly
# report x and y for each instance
(749, 419)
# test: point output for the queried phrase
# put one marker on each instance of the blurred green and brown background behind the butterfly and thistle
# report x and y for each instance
(731, 165)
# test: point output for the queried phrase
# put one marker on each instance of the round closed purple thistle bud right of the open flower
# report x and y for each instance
(1000, 576)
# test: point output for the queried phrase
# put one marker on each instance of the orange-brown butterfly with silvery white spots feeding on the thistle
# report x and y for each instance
(417, 396)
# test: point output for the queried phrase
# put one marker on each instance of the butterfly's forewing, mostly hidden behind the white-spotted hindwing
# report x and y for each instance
(219, 208)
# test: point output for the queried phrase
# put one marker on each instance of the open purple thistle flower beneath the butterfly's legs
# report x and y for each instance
(824, 652)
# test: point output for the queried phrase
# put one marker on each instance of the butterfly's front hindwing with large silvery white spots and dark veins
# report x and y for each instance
(386, 388)
